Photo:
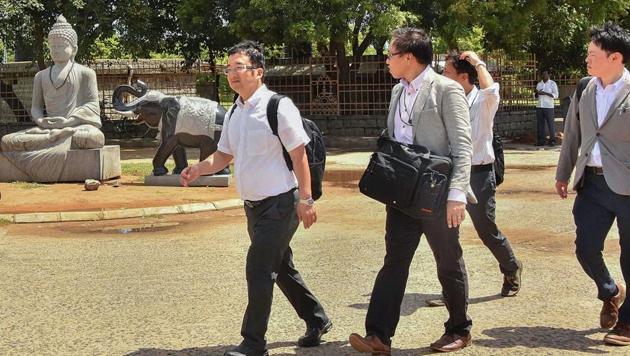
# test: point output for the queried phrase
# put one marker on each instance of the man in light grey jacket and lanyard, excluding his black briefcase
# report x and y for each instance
(430, 110)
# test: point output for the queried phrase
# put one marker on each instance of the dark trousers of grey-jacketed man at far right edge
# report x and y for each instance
(594, 211)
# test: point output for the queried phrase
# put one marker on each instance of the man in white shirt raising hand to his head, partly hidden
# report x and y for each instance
(483, 103)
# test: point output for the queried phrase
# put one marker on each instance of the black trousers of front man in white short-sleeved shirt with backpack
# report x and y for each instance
(271, 224)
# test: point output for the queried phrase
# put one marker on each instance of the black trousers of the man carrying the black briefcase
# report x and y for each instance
(402, 236)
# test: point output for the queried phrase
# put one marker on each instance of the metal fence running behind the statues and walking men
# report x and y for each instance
(318, 86)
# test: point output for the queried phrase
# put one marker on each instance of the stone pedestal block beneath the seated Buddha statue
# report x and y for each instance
(99, 163)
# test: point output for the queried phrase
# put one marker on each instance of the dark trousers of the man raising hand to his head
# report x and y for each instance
(482, 214)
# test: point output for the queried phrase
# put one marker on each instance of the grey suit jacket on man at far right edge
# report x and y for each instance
(613, 137)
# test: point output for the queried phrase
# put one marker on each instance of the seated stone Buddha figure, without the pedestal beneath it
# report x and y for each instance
(65, 101)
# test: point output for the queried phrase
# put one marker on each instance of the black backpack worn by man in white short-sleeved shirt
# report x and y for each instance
(315, 149)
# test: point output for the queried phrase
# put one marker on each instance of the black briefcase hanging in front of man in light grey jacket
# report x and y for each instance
(408, 178)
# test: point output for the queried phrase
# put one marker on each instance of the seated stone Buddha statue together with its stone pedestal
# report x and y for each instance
(67, 143)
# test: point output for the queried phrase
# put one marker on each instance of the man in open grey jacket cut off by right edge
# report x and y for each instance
(597, 144)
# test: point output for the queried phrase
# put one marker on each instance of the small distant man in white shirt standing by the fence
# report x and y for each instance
(546, 92)
